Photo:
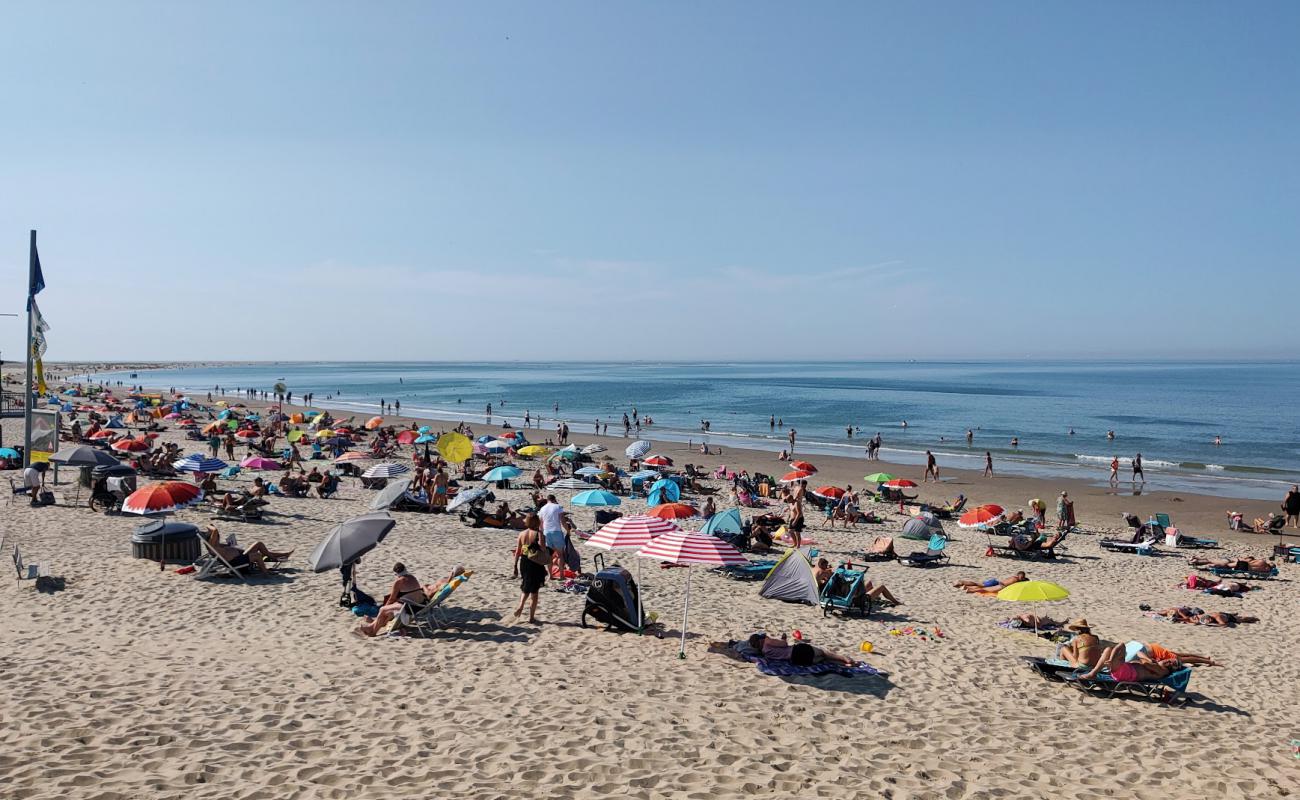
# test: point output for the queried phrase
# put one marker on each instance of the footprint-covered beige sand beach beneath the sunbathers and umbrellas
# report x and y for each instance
(138, 682)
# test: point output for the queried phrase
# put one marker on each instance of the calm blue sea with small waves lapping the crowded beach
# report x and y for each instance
(1169, 412)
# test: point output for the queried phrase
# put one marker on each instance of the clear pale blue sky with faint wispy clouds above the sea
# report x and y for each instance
(656, 180)
